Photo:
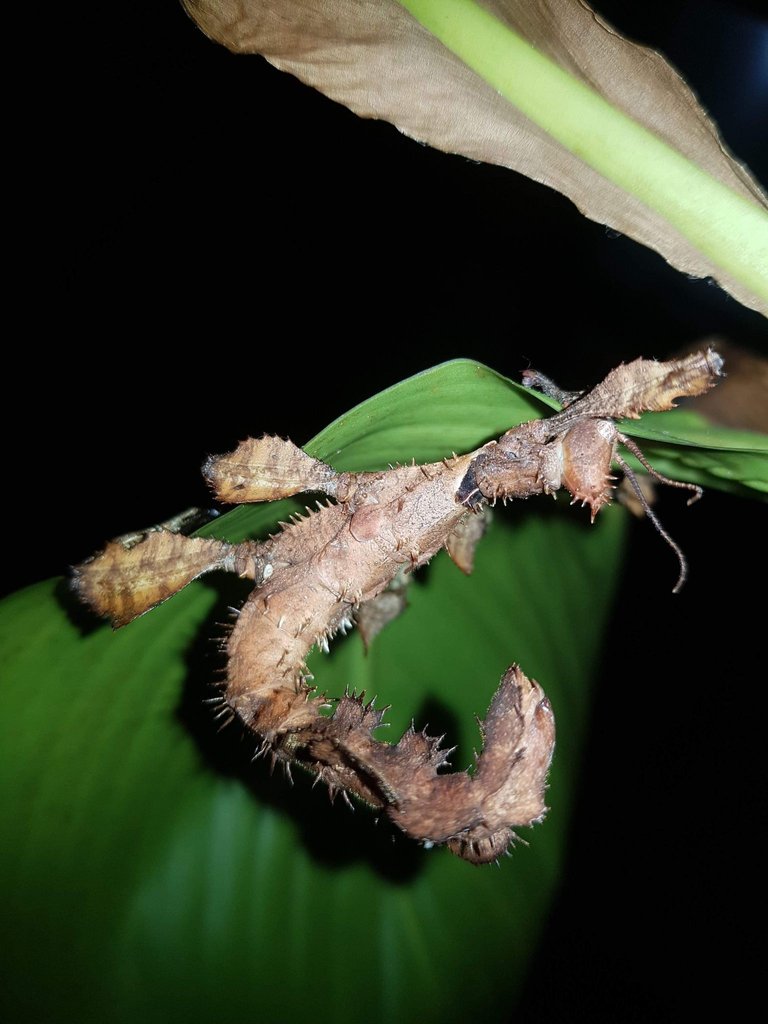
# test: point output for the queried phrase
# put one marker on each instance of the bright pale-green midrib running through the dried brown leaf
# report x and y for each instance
(722, 225)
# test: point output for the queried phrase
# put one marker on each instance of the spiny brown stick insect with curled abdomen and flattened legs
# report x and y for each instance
(349, 562)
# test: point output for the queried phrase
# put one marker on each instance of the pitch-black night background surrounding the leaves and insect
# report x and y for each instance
(189, 219)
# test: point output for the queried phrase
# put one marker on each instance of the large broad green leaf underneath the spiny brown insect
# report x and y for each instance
(152, 873)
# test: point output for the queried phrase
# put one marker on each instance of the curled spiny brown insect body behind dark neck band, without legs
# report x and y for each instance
(344, 558)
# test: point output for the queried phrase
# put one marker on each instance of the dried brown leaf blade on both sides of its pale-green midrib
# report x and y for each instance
(379, 62)
